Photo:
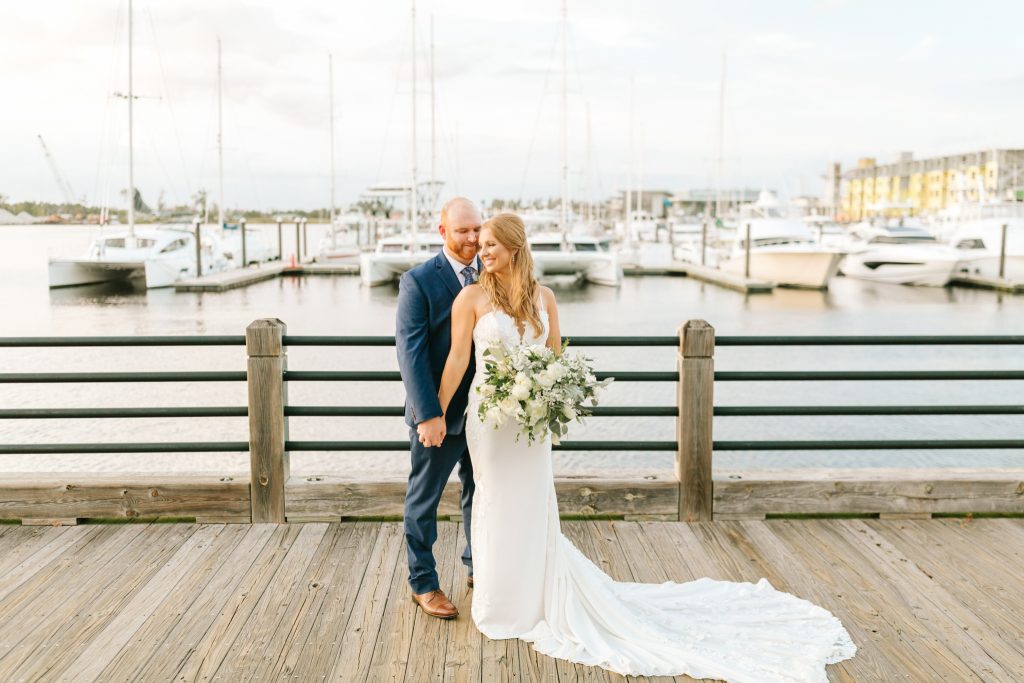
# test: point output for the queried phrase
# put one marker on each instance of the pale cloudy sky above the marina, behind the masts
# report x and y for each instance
(807, 82)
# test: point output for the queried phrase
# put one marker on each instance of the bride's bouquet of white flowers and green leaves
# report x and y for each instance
(541, 391)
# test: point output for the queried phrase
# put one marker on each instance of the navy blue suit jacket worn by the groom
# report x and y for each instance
(423, 339)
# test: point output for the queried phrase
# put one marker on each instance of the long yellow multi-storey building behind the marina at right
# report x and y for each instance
(913, 187)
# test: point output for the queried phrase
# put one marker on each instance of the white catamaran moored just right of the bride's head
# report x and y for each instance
(588, 257)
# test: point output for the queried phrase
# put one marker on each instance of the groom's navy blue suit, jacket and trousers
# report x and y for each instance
(423, 339)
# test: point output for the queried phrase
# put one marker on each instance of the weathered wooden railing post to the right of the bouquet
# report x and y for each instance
(694, 429)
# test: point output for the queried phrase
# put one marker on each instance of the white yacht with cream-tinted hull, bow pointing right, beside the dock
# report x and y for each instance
(783, 248)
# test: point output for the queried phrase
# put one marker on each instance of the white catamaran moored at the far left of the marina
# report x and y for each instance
(154, 258)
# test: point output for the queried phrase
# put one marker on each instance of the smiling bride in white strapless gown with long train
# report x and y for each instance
(533, 584)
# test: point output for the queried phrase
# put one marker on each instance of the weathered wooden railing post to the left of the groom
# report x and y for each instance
(268, 424)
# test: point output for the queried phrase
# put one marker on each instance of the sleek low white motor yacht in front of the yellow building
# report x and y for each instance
(903, 254)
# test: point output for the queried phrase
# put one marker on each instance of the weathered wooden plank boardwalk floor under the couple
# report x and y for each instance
(935, 601)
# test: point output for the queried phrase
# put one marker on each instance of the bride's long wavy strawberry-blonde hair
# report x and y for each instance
(519, 297)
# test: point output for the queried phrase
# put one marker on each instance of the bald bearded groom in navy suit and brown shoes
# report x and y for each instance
(423, 338)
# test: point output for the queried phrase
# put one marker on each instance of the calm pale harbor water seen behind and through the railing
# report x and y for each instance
(645, 306)
